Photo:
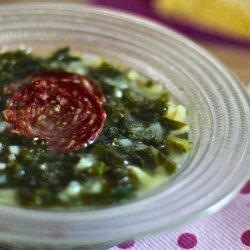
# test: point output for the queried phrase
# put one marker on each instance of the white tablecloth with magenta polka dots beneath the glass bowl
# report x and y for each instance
(228, 229)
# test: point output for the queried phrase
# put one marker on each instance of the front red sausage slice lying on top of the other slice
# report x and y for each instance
(62, 112)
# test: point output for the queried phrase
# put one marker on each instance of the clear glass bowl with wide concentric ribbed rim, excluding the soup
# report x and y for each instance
(218, 106)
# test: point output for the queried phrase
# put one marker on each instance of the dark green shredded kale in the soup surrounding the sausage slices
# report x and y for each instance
(136, 133)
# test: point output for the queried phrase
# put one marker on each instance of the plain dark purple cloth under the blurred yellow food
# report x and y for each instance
(143, 7)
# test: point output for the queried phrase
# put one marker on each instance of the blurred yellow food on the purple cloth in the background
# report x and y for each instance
(229, 17)
